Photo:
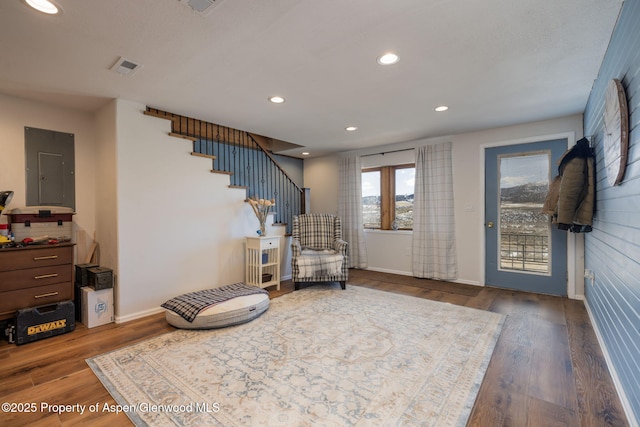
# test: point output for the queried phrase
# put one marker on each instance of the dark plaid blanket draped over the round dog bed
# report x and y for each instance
(189, 305)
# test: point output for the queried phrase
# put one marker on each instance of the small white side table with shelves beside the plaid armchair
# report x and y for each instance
(262, 264)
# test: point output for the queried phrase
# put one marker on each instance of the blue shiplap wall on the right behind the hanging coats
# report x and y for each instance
(612, 250)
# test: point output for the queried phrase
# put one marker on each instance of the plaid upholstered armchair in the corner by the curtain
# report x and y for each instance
(318, 253)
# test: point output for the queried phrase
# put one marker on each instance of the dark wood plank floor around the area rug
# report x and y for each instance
(547, 368)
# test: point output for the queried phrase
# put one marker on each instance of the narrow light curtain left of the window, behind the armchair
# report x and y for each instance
(350, 209)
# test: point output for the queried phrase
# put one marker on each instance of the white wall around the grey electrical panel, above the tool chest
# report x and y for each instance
(15, 114)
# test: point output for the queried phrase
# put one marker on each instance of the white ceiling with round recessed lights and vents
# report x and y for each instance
(493, 62)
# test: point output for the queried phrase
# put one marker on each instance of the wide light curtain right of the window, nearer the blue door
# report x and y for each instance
(434, 241)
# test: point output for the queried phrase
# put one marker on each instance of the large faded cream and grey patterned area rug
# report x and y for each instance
(320, 356)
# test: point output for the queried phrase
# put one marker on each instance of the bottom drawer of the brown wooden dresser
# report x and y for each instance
(42, 295)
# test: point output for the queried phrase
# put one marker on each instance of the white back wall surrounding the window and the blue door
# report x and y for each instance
(387, 251)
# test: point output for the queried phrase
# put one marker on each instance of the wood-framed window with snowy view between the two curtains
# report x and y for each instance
(387, 197)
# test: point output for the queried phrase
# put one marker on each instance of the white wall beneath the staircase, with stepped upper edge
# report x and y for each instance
(180, 228)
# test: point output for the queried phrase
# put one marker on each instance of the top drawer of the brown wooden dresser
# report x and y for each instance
(18, 259)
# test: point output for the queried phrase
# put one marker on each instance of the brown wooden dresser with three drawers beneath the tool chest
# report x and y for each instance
(35, 276)
